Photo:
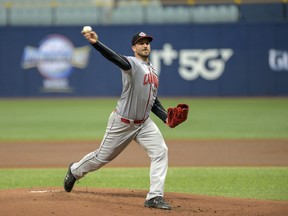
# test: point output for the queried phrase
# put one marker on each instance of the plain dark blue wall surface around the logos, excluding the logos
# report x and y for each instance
(247, 72)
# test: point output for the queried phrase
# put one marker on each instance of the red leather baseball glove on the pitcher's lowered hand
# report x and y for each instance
(177, 115)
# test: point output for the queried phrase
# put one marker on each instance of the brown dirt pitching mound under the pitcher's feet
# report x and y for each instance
(55, 201)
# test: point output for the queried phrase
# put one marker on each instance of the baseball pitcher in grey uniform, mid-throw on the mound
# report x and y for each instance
(130, 120)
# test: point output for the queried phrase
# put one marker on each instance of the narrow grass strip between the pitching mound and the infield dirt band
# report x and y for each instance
(259, 183)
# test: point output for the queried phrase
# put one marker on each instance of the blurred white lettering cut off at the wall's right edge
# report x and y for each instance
(278, 60)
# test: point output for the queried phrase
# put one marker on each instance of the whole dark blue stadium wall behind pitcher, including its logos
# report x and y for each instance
(193, 60)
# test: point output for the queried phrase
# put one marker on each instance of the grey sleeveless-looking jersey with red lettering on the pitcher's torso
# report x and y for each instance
(140, 85)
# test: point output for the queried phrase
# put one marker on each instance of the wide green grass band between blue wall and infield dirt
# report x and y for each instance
(85, 119)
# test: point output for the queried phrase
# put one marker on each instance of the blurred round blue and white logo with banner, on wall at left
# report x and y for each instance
(55, 59)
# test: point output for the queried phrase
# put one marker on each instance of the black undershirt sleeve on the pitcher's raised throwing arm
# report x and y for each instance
(112, 56)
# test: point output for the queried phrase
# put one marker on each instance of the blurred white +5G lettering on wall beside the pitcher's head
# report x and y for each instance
(208, 63)
